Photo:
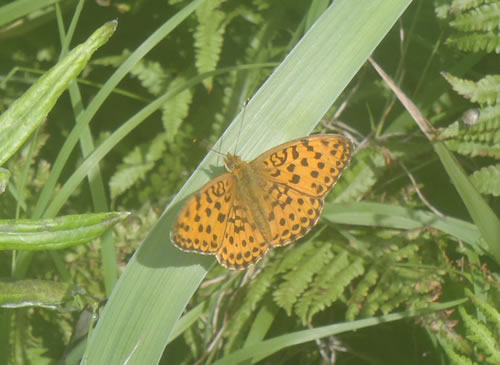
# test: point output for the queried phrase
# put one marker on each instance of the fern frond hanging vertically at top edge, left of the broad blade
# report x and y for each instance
(209, 37)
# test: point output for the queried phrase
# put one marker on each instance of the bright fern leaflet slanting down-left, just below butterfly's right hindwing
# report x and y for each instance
(296, 281)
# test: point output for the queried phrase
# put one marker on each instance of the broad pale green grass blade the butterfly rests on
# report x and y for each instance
(147, 301)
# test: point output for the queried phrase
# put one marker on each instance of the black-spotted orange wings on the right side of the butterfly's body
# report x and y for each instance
(295, 178)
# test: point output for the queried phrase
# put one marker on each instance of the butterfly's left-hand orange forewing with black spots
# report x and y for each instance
(202, 222)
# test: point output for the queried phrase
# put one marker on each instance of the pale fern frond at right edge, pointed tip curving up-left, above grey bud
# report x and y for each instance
(486, 90)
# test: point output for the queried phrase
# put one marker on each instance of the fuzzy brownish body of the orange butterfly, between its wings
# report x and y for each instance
(249, 190)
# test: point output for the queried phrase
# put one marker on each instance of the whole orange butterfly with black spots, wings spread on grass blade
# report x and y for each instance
(269, 202)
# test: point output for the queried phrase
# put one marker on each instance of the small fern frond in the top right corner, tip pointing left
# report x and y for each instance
(484, 18)
